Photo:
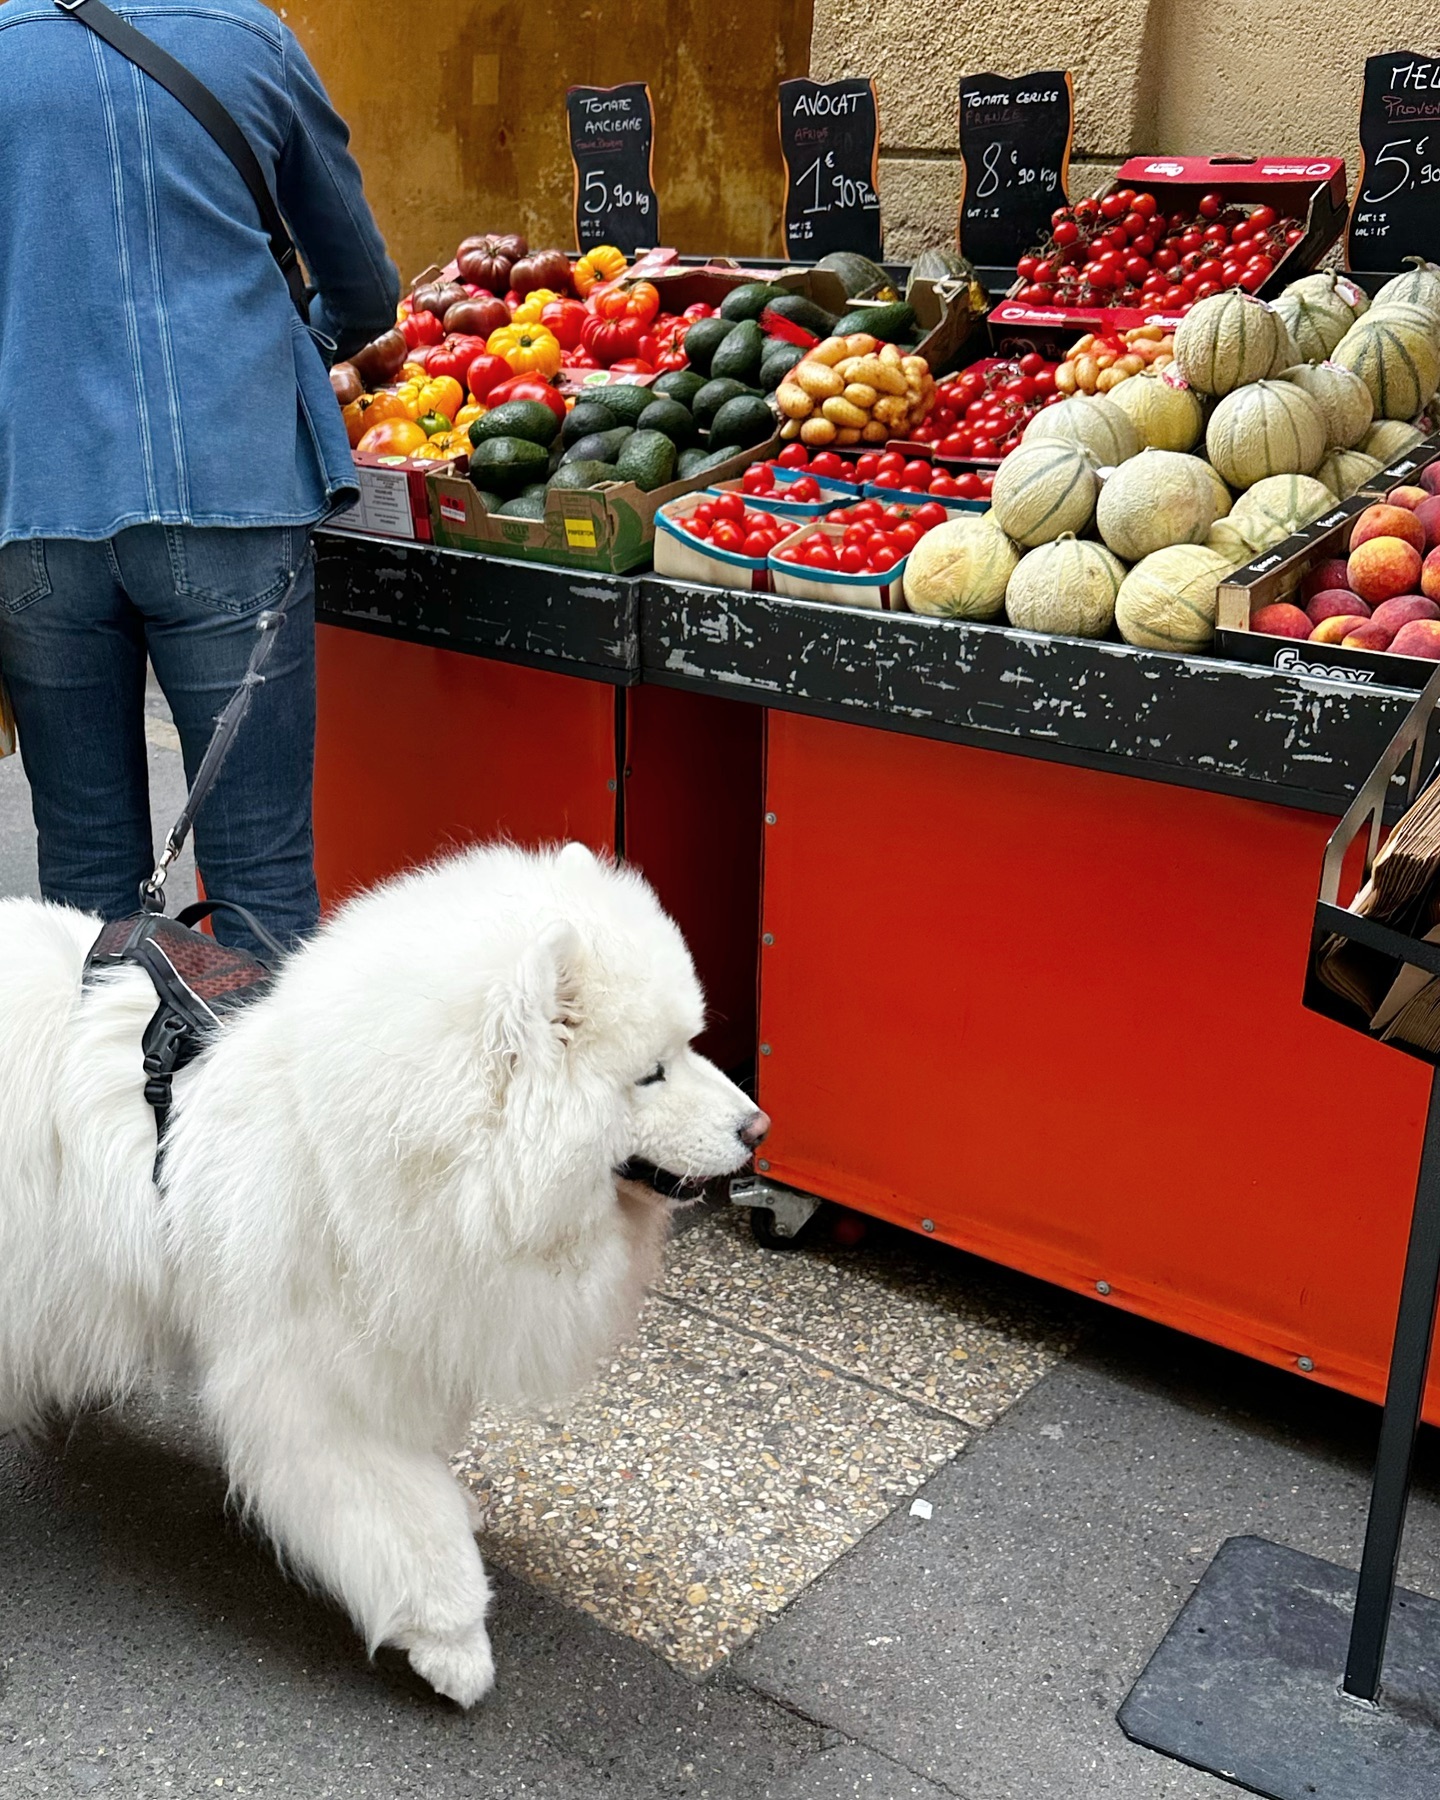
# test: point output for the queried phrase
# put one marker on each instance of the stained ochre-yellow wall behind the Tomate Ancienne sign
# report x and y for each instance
(458, 112)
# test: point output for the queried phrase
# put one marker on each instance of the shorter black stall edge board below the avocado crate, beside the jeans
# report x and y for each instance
(566, 620)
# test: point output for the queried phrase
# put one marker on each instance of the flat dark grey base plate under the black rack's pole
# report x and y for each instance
(1246, 1684)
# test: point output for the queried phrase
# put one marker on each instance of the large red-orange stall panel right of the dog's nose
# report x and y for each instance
(1057, 1014)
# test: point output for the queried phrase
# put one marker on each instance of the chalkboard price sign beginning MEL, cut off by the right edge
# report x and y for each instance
(1396, 211)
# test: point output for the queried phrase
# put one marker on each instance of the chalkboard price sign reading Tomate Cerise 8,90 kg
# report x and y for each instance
(1014, 157)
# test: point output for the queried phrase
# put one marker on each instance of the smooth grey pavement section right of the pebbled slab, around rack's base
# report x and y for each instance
(991, 1644)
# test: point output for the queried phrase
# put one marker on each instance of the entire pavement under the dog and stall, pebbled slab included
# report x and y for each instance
(710, 1579)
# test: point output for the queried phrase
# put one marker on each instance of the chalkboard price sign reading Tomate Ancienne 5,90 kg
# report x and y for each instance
(613, 136)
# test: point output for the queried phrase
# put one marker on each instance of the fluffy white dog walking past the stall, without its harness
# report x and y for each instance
(390, 1192)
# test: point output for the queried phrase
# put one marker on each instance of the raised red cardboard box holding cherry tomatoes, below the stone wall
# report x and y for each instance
(1308, 190)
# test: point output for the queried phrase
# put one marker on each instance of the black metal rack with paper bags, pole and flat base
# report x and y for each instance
(1257, 1678)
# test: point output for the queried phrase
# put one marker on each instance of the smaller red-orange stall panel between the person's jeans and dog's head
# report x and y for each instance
(420, 750)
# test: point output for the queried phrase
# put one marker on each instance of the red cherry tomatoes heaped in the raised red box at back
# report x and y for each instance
(1133, 249)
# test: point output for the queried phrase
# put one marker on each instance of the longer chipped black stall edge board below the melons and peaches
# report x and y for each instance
(1189, 721)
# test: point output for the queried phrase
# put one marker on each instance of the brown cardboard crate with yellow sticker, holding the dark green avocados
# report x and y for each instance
(607, 530)
